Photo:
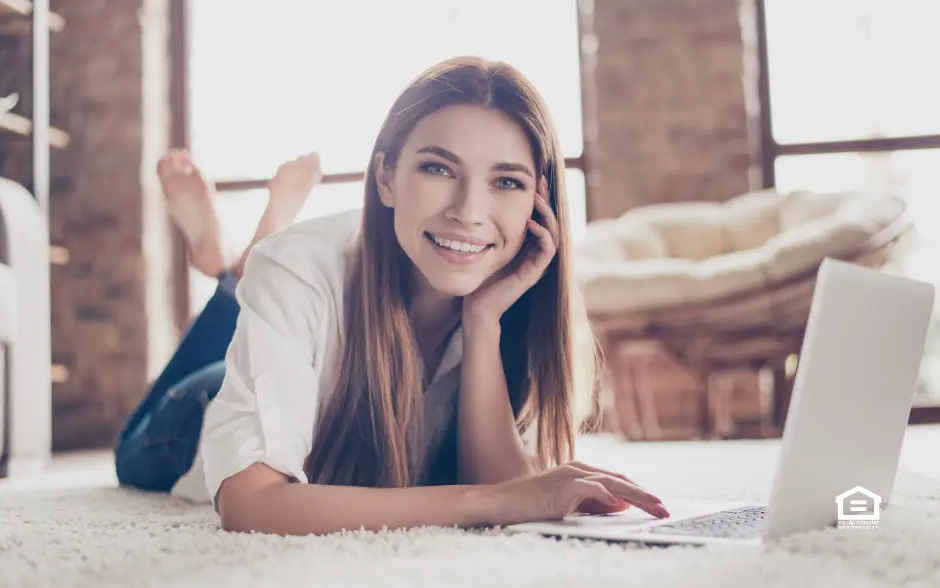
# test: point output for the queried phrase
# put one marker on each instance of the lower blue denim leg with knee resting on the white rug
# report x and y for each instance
(162, 448)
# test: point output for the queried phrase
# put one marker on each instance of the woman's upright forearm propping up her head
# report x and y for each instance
(490, 448)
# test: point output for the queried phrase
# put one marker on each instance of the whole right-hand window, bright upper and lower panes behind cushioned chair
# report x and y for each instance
(852, 96)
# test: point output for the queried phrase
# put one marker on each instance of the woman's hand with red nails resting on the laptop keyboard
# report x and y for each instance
(568, 489)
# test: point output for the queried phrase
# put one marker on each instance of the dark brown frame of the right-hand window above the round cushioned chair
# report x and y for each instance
(770, 150)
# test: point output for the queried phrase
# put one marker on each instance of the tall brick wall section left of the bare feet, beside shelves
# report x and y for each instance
(111, 319)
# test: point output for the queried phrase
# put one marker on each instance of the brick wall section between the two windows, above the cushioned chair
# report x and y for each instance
(674, 108)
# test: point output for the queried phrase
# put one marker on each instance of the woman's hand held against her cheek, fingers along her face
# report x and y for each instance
(492, 299)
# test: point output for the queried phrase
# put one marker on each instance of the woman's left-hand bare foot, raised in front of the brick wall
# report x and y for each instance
(189, 203)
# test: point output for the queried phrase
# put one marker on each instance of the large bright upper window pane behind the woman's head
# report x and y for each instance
(269, 84)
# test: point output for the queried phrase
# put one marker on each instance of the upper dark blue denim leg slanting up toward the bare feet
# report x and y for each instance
(205, 343)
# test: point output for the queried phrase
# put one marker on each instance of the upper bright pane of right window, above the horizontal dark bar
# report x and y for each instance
(844, 69)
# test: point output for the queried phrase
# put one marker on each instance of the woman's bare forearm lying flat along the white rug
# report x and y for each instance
(304, 509)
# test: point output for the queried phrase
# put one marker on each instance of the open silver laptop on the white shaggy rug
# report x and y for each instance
(842, 440)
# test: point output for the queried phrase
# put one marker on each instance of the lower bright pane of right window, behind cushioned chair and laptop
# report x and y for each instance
(915, 175)
